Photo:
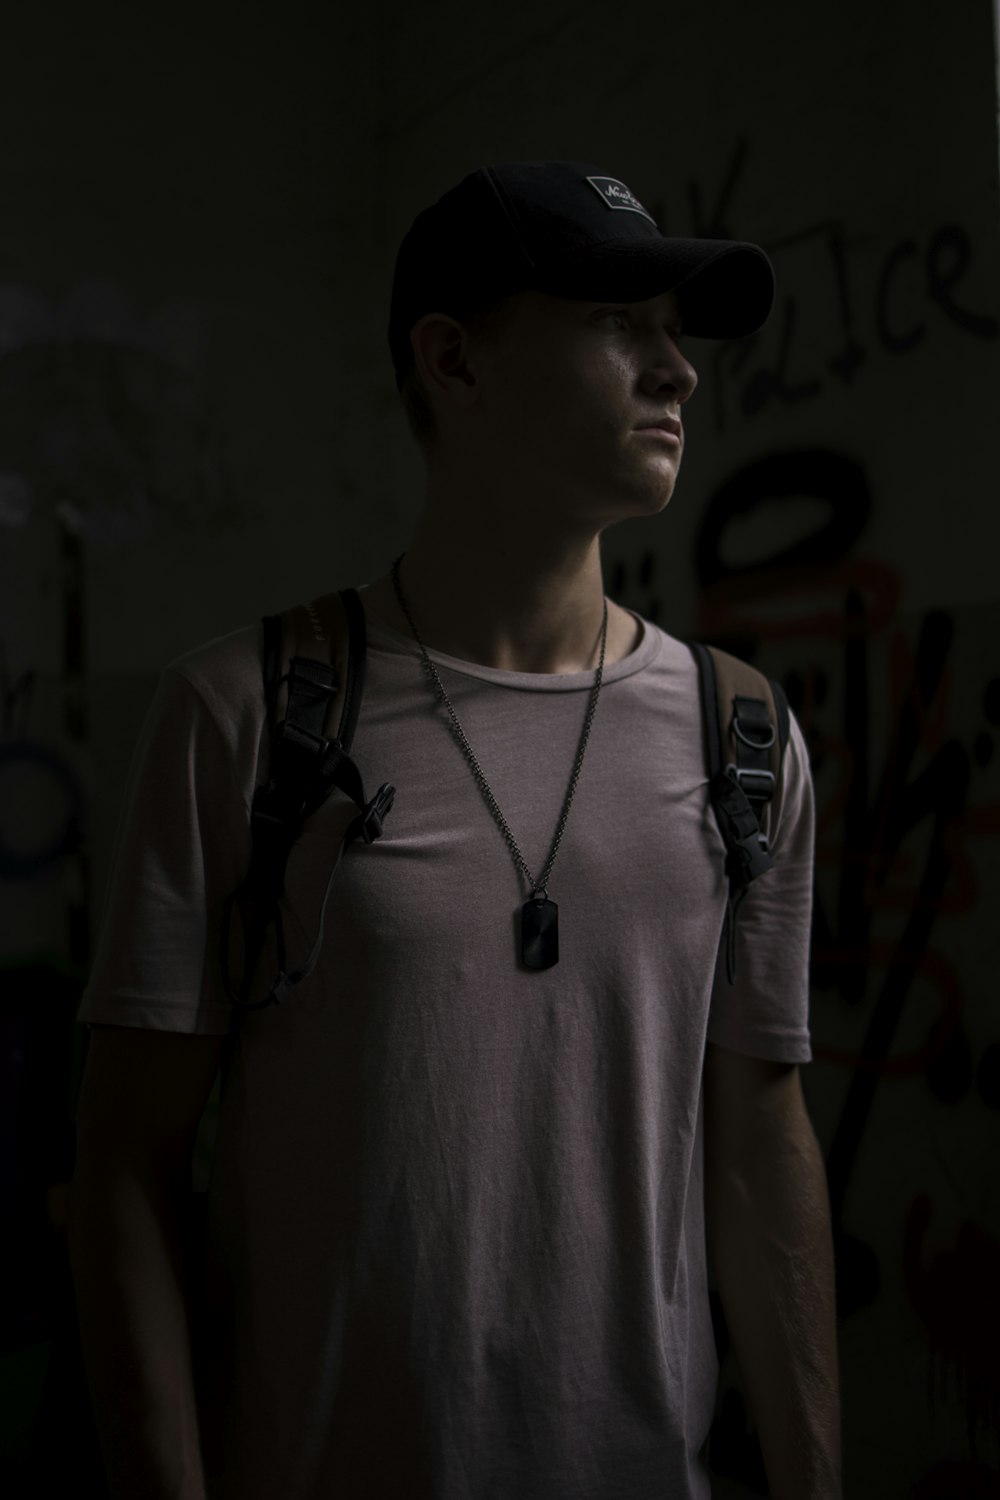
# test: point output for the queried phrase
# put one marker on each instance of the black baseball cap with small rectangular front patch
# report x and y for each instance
(570, 230)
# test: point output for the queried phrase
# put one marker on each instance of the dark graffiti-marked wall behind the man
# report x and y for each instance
(199, 424)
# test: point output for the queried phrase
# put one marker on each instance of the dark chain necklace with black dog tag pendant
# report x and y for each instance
(539, 916)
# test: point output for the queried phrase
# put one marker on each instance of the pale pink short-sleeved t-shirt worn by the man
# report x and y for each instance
(457, 1241)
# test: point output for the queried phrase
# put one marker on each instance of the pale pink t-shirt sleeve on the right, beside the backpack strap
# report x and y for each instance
(765, 1013)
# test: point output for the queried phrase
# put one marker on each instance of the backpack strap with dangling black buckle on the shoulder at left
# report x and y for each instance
(314, 679)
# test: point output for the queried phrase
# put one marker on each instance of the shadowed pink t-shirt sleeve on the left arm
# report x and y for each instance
(184, 847)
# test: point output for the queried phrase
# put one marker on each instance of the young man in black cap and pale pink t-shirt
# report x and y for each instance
(469, 1172)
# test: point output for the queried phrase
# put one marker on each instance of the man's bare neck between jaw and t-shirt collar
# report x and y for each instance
(533, 610)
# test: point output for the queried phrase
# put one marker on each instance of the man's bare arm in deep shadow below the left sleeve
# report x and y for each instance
(142, 1100)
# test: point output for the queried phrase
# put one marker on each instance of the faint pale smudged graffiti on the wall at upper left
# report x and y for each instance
(104, 418)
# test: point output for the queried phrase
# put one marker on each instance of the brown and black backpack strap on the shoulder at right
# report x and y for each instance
(746, 721)
